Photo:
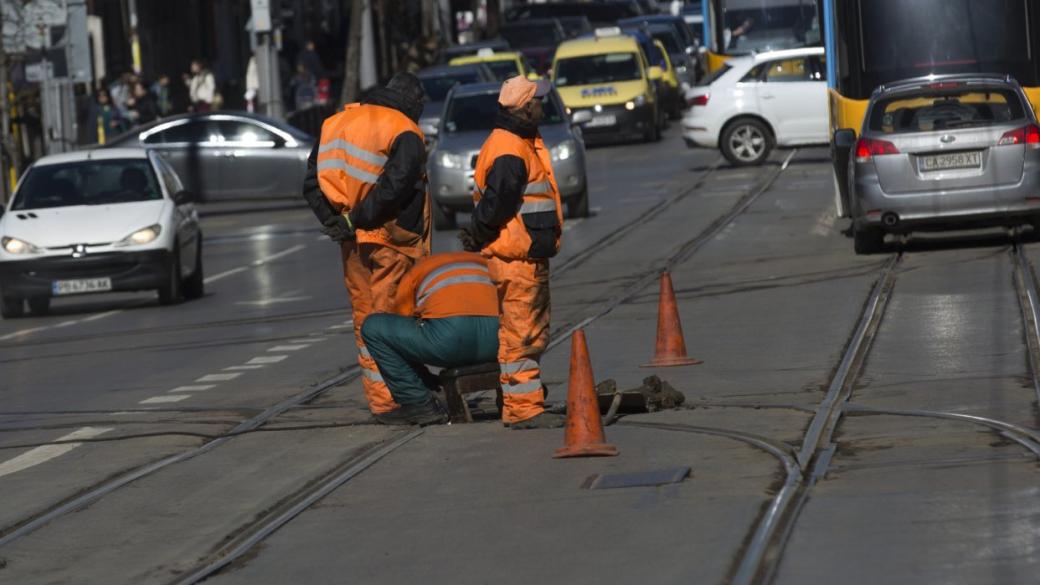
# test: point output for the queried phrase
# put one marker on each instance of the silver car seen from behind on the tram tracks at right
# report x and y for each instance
(943, 152)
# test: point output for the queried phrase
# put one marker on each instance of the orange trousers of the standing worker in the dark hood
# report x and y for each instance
(373, 274)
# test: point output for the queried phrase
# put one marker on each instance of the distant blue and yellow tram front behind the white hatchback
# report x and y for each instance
(742, 28)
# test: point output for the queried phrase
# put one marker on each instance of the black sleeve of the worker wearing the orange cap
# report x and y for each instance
(503, 195)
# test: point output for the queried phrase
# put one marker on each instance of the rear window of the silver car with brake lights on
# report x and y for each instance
(947, 110)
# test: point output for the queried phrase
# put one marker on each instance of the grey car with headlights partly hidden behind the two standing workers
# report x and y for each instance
(470, 116)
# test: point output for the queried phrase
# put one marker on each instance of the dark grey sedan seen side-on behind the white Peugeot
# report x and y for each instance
(228, 156)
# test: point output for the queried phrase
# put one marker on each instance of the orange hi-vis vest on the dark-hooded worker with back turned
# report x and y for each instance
(355, 146)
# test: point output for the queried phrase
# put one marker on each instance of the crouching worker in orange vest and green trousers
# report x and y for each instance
(447, 315)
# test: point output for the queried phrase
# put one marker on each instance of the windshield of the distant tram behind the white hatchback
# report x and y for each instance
(769, 26)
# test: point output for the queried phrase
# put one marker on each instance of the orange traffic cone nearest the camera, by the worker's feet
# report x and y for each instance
(585, 431)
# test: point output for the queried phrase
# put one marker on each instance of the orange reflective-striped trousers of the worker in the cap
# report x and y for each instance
(524, 335)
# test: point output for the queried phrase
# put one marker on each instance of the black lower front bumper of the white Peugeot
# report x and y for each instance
(128, 271)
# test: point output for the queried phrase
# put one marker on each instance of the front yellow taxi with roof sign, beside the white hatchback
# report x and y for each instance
(609, 87)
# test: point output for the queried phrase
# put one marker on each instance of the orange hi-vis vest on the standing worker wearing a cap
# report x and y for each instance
(541, 208)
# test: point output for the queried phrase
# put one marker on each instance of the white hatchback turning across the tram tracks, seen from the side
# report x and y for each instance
(758, 103)
